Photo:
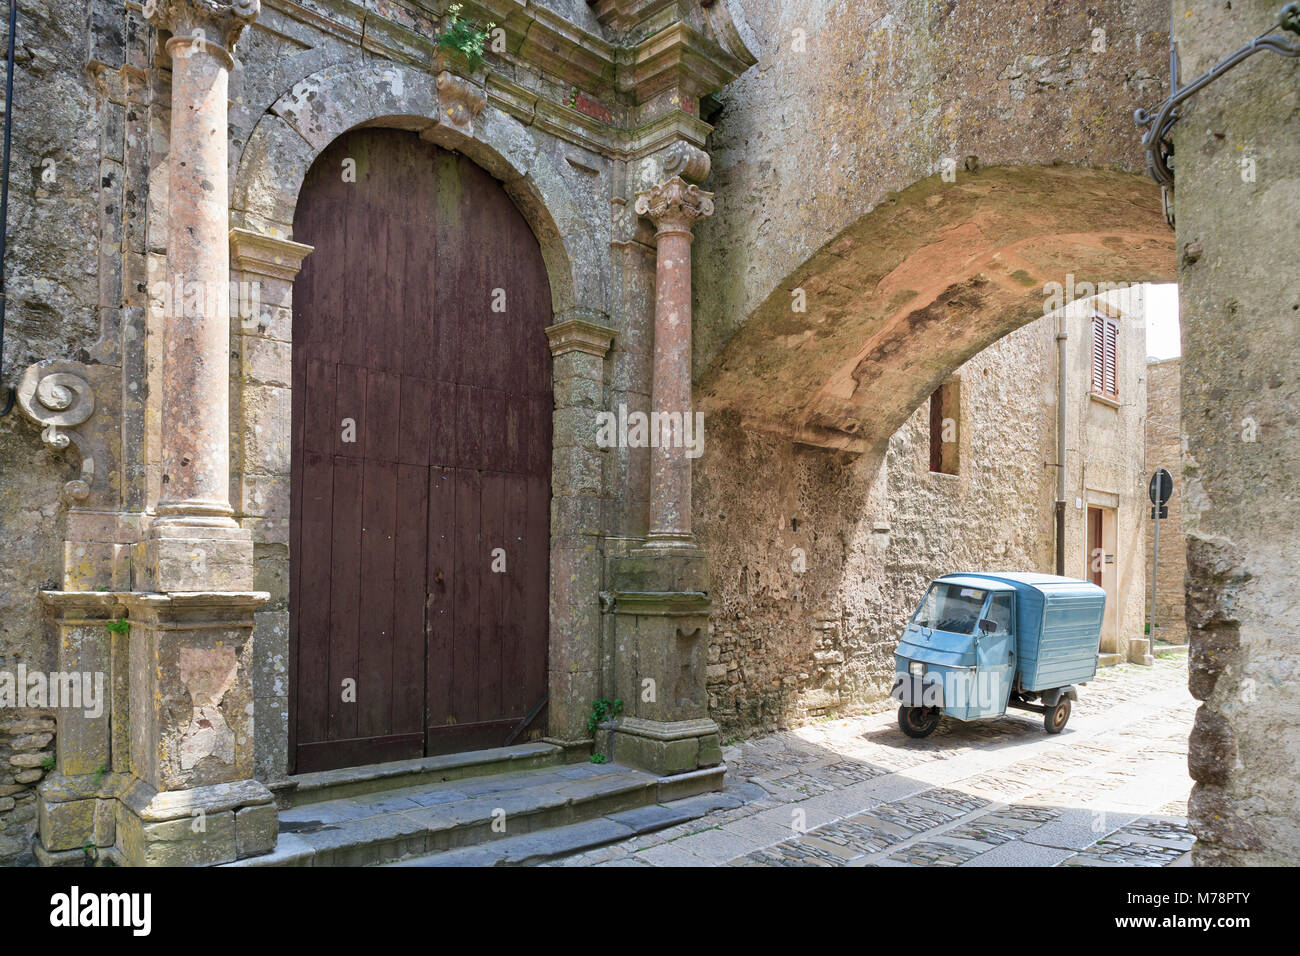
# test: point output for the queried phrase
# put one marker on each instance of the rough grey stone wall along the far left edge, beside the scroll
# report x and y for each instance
(53, 310)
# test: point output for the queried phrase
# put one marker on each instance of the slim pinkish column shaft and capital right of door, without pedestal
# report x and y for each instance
(674, 207)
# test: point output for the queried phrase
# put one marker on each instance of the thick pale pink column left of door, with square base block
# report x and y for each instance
(196, 543)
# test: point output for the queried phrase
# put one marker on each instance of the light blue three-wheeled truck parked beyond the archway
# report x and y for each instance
(982, 643)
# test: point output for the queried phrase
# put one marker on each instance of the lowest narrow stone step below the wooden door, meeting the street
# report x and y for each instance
(531, 850)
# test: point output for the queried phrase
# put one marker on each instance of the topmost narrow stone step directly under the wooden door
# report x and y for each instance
(376, 778)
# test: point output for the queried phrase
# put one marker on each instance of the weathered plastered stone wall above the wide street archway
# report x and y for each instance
(851, 102)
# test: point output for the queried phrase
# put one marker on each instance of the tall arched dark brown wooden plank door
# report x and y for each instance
(422, 455)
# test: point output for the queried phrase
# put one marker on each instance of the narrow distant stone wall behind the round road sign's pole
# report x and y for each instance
(1165, 451)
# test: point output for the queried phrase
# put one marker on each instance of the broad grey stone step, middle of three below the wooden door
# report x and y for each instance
(414, 821)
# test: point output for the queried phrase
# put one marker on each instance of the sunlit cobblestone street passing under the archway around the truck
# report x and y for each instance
(1110, 791)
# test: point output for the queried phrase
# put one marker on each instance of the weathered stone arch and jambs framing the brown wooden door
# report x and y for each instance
(287, 142)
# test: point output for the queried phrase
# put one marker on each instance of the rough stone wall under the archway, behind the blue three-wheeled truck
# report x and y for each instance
(790, 646)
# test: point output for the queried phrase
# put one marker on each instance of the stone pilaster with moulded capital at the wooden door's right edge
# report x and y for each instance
(579, 347)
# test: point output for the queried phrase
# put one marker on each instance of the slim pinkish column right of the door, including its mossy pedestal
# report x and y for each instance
(661, 591)
